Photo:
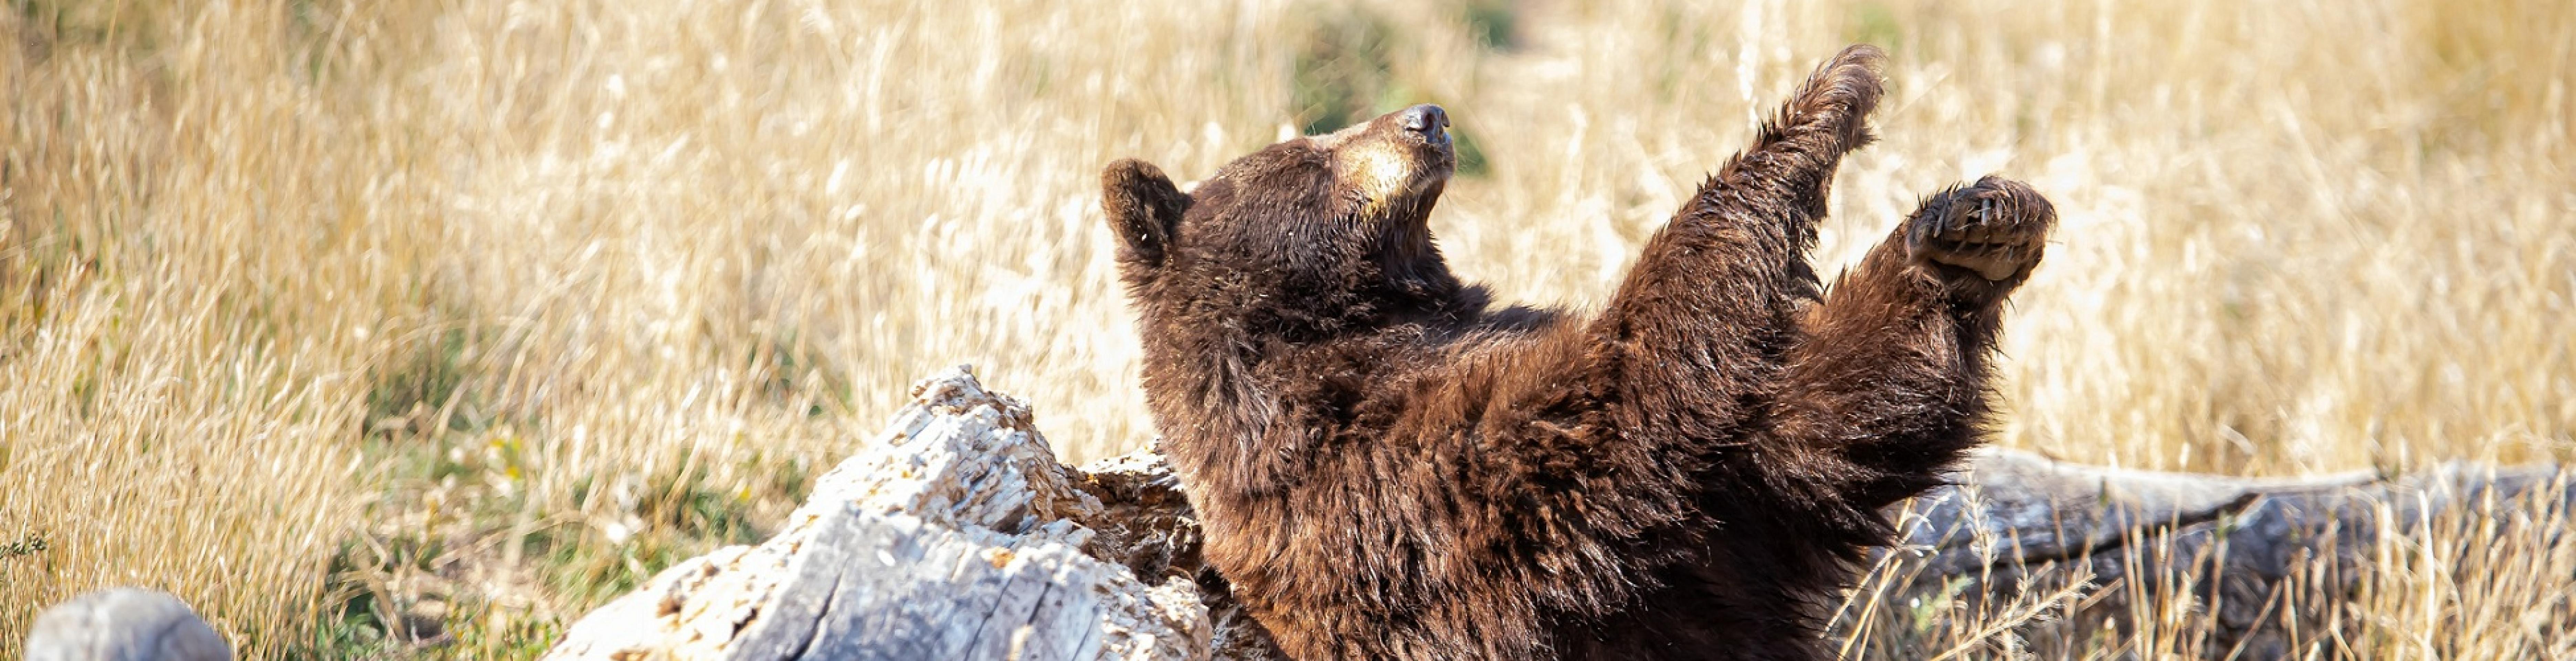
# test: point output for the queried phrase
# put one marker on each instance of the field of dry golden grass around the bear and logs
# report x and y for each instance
(493, 307)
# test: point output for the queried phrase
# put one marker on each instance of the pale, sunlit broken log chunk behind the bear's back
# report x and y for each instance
(952, 536)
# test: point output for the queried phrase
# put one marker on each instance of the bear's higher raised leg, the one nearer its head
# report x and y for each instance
(1699, 325)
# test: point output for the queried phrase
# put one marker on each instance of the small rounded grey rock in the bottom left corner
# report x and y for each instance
(125, 626)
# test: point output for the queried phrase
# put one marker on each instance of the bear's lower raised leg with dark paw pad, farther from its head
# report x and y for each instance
(1892, 374)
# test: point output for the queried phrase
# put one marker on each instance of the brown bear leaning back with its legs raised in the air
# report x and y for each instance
(1392, 467)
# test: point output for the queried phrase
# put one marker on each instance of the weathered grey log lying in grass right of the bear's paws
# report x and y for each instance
(2260, 559)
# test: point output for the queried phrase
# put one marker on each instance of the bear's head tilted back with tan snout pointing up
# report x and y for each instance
(1307, 238)
